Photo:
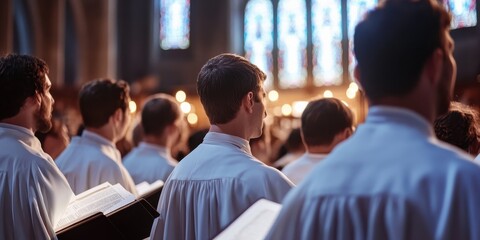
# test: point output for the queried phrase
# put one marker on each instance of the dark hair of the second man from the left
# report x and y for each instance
(100, 98)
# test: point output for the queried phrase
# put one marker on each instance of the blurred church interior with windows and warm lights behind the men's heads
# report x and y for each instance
(161, 48)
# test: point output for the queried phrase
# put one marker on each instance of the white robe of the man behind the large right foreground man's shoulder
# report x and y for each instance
(298, 169)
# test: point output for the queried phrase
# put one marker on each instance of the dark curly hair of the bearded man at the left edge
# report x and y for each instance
(21, 76)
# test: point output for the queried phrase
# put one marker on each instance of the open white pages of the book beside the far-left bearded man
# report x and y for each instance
(103, 198)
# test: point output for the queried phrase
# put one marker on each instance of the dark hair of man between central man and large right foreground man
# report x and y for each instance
(324, 118)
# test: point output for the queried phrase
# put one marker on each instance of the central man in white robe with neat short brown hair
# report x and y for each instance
(220, 179)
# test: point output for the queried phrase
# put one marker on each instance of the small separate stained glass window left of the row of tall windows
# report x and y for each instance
(174, 24)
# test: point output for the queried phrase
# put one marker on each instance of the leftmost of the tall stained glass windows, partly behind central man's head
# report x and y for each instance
(259, 37)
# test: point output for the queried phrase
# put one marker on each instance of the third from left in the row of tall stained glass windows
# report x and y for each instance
(327, 42)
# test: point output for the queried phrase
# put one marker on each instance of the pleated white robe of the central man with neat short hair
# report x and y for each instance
(212, 186)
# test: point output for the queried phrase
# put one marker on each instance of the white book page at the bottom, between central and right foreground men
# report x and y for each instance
(254, 223)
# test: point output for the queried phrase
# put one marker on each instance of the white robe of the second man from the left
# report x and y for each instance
(91, 160)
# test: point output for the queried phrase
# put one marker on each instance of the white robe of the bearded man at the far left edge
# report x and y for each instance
(33, 192)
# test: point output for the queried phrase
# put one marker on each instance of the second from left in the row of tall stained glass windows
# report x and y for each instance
(292, 43)
